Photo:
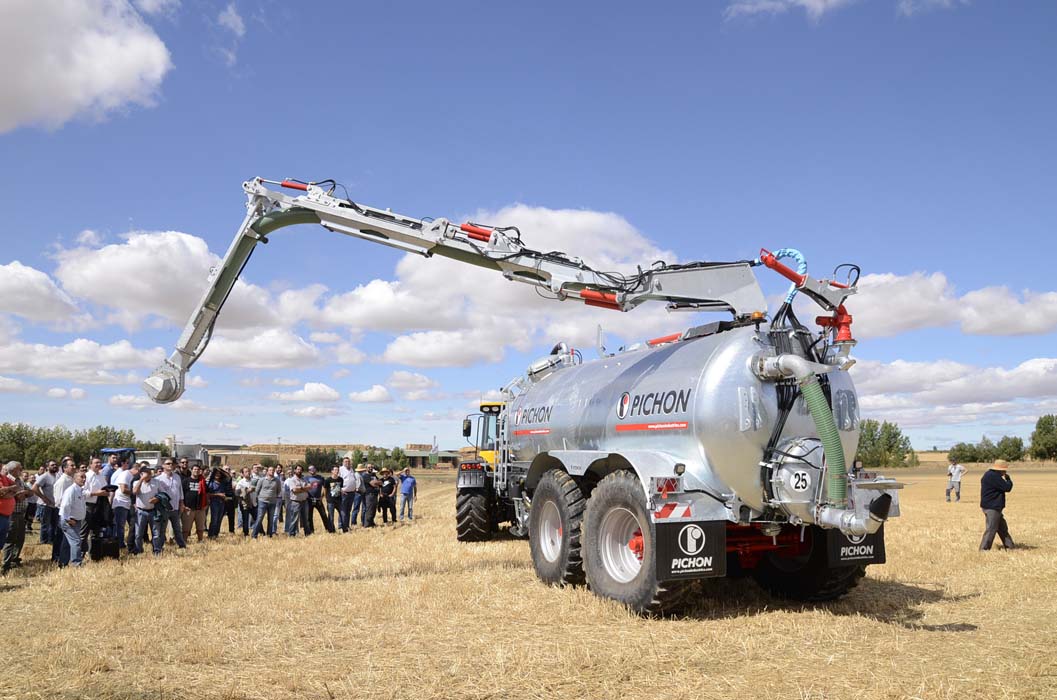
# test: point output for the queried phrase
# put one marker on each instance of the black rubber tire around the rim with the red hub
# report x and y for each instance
(644, 594)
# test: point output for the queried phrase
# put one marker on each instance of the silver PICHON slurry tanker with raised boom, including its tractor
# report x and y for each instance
(722, 451)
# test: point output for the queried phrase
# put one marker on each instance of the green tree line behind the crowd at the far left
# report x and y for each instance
(33, 446)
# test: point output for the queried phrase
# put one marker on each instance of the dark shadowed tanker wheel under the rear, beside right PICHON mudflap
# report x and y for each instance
(808, 578)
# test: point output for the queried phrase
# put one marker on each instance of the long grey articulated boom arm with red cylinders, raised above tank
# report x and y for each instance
(698, 287)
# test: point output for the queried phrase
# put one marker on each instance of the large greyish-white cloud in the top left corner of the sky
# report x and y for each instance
(92, 58)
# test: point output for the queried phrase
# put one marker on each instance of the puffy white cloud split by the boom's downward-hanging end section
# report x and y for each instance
(179, 268)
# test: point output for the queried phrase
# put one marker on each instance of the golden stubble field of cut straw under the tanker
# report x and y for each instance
(406, 612)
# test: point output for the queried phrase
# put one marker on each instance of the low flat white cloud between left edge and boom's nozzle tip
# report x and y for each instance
(82, 361)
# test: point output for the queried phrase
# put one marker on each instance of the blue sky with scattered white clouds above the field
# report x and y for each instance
(914, 138)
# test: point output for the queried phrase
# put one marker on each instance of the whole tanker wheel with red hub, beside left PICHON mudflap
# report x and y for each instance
(620, 558)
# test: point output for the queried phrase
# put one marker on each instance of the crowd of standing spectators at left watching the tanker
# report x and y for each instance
(107, 507)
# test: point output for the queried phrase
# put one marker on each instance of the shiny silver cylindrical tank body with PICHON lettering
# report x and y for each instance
(697, 400)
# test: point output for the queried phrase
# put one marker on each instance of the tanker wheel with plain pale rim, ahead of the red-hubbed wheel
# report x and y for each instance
(554, 529)
